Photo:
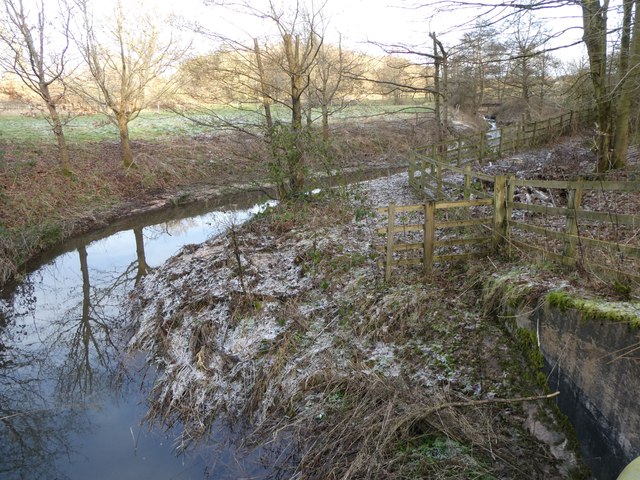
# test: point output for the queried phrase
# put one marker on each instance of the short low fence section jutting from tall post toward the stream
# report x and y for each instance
(423, 230)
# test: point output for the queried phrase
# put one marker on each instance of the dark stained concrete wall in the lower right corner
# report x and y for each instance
(595, 364)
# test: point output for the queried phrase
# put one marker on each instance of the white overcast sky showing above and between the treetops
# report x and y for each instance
(358, 21)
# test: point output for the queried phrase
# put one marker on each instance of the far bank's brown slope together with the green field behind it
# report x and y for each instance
(39, 207)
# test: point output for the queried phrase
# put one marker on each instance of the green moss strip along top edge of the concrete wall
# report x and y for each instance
(598, 310)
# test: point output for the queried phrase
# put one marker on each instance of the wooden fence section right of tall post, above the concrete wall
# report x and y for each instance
(599, 236)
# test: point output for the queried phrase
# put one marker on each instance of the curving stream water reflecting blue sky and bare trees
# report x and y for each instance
(72, 401)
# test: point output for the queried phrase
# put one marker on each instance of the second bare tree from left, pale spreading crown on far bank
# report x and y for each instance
(125, 60)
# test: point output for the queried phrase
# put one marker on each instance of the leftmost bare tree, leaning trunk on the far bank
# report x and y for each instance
(38, 61)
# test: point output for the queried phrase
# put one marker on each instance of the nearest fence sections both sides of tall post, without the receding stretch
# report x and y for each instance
(605, 242)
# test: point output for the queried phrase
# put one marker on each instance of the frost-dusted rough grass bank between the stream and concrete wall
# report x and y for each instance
(286, 330)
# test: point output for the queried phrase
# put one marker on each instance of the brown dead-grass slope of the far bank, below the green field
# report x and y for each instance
(40, 207)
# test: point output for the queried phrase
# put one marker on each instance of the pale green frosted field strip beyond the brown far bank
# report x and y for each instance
(159, 126)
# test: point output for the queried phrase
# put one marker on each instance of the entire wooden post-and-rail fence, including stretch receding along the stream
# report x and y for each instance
(576, 223)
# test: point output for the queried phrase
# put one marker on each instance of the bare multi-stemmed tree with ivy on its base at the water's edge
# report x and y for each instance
(264, 78)
